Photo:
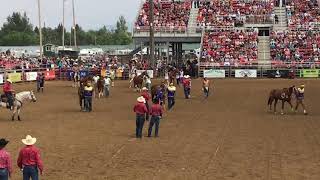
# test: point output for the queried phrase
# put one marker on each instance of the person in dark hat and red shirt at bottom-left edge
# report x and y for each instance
(5, 161)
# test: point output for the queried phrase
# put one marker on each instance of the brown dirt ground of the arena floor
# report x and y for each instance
(230, 136)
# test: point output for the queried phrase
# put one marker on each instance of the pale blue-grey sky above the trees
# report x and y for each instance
(90, 14)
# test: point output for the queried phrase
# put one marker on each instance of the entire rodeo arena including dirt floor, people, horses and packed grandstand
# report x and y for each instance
(243, 106)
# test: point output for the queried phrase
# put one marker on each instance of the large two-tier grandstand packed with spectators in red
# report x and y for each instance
(235, 32)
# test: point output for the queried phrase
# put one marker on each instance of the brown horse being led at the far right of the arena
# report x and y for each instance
(280, 94)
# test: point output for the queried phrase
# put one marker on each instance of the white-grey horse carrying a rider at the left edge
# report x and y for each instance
(19, 102)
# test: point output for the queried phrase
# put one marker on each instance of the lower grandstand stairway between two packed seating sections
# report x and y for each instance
(264, 58)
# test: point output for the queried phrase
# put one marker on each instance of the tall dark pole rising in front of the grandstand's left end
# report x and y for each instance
(151, 45)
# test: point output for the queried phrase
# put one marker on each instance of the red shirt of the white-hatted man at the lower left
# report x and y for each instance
(30, 156)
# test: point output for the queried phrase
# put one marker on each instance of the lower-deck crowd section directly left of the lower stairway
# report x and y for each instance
(230, 47)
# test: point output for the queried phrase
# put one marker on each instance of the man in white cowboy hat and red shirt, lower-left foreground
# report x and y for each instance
(29, 159)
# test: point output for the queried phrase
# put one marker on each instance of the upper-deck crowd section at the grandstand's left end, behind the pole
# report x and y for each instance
(168, 15)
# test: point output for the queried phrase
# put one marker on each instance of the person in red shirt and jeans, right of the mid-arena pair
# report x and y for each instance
(156, 112)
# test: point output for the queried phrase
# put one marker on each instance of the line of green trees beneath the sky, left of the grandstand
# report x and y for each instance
(18, 31)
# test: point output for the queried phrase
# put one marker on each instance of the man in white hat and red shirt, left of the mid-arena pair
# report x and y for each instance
(140, 109)
